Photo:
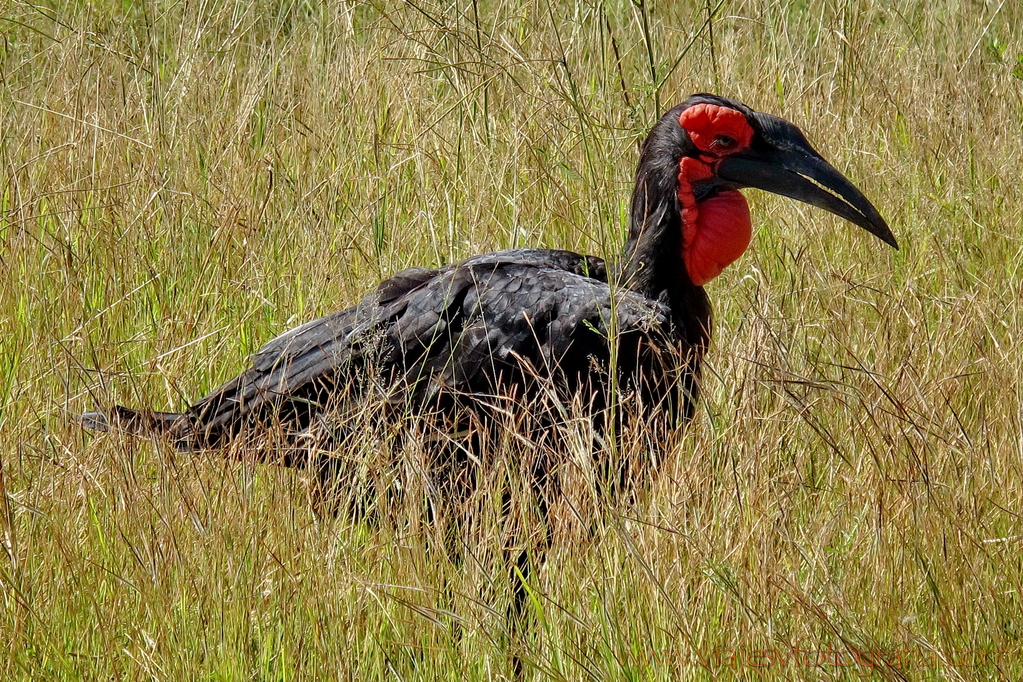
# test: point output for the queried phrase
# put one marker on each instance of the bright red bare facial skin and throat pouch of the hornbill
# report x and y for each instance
(718, 231)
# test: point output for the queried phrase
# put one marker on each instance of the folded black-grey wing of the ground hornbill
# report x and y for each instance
(465, 329)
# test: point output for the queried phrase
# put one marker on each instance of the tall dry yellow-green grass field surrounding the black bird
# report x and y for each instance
(182, 181)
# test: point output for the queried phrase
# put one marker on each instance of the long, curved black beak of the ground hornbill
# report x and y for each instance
(791, 168)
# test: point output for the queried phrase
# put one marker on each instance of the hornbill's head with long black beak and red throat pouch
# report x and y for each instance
(707, 149)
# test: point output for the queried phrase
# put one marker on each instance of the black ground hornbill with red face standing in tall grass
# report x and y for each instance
(454, 342)
